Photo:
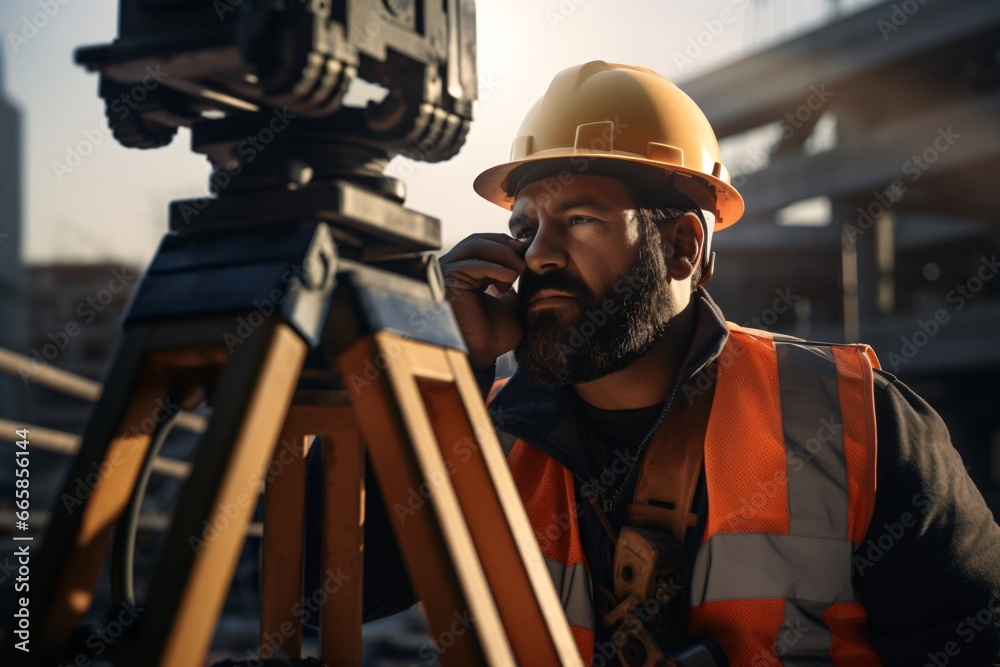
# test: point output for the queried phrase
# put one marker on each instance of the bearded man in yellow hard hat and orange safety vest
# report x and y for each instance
(762, 467)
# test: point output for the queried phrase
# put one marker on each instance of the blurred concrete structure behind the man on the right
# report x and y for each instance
(867, 159)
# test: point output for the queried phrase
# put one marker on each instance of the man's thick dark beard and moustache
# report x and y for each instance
(615, 327)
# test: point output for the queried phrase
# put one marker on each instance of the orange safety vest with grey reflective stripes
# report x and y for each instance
(790, 472)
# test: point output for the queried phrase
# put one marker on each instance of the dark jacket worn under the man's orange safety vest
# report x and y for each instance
(928, 573)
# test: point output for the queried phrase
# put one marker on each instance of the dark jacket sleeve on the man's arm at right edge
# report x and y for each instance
(928, 572)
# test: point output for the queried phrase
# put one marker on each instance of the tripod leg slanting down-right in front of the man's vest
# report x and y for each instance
(417, 415)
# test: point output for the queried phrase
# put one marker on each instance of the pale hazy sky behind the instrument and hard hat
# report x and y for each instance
(113, 205)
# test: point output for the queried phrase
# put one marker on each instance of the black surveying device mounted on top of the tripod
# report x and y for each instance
(261, 84)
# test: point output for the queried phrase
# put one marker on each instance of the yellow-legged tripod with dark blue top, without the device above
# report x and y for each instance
(245, 305)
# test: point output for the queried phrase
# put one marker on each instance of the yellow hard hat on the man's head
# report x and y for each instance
(599, 112)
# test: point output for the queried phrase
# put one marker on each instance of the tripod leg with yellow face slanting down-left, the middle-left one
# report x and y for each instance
(217, 501)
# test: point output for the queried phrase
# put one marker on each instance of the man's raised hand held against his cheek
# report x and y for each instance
(479, 274)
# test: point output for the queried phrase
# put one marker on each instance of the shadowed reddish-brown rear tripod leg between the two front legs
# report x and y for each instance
(340, 594)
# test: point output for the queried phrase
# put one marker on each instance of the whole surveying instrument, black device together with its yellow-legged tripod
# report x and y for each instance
(299, 301)
